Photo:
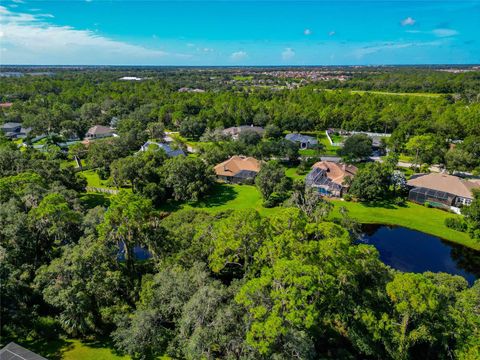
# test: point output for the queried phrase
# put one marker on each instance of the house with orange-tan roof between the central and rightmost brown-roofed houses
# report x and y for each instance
(328, 177)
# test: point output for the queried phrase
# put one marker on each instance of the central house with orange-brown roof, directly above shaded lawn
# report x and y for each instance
(238, 169)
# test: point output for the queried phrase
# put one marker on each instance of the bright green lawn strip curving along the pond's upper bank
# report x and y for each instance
(412, 216)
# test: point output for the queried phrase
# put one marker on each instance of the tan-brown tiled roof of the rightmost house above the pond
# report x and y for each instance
(444, 182)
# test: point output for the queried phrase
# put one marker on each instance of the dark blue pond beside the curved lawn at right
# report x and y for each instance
(413, 251)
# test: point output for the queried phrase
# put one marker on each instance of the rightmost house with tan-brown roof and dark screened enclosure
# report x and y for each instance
(441, 190)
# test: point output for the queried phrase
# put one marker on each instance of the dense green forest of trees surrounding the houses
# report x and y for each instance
(232, 284)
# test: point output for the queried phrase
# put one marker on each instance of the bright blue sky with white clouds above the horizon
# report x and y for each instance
(239, 32)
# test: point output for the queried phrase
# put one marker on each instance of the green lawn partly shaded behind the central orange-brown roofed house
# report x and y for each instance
(226, 197)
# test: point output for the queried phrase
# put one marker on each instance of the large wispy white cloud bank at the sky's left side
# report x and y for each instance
(28, 39)
